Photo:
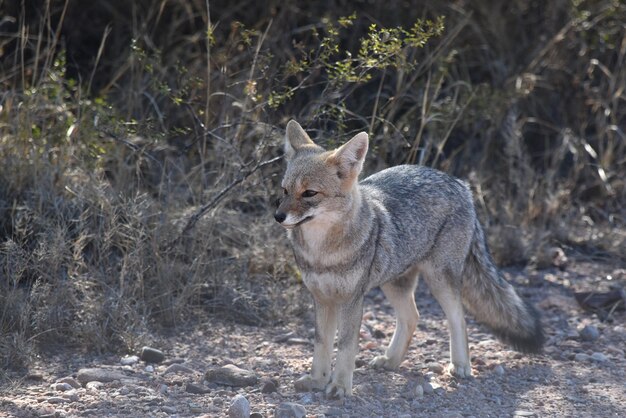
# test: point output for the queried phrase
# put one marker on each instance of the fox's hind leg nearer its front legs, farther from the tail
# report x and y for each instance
(401, 295)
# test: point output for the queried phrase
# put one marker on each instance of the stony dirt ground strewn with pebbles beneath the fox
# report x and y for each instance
(580, 374)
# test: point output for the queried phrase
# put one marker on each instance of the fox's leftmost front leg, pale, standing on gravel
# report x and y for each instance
(325, 329)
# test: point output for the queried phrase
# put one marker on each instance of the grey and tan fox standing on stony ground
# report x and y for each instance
(387, 230)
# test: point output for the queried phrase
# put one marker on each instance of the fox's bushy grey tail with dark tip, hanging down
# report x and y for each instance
(495, 303)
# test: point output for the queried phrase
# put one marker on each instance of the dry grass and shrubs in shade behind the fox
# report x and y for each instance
(140, 144)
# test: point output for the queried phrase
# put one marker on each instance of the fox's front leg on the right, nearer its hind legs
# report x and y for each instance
(347, 347)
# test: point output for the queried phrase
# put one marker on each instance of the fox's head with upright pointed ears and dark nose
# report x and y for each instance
(318, 185)
